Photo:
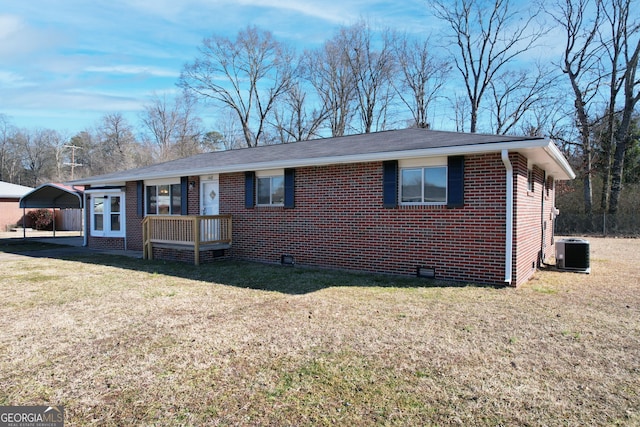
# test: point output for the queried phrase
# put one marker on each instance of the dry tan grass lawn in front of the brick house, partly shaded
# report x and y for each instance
(122, 342)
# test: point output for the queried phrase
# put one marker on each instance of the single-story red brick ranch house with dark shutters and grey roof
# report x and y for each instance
(455, 206)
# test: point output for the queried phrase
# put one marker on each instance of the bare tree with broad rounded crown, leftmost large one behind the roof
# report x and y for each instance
(247, 75)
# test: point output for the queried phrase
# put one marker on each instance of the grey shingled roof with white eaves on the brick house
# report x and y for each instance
(387, 145)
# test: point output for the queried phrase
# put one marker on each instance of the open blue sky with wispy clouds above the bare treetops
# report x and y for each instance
(66, 63)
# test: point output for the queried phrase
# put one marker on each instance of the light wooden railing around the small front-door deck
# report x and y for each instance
(193, 231)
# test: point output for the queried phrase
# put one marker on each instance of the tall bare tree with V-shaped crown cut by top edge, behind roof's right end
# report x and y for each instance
(488, 35)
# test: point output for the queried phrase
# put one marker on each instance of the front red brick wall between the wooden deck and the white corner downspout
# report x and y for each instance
(339, 221)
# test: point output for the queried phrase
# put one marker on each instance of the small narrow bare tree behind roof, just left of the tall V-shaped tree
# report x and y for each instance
(422, 77)
